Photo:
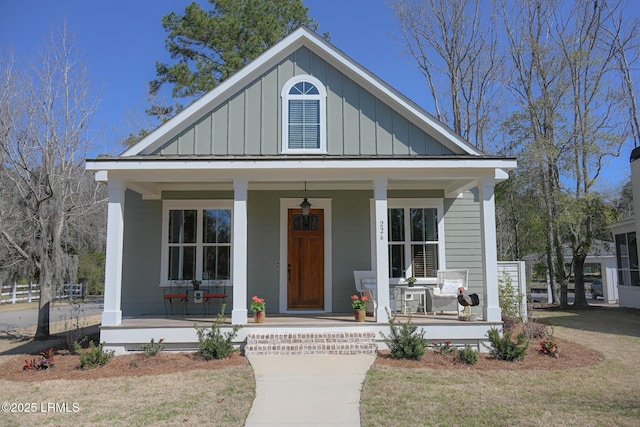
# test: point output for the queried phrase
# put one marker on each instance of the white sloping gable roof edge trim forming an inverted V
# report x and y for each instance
(309, 39)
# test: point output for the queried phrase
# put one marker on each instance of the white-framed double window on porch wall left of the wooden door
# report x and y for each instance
(196, 241)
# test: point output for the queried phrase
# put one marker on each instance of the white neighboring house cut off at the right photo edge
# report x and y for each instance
(624, 233)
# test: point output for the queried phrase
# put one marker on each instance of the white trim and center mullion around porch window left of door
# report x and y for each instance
(199, 205)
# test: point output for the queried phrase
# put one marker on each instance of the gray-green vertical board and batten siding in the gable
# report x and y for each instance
(250, 122)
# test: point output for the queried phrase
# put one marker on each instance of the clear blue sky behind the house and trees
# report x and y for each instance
(122, 40)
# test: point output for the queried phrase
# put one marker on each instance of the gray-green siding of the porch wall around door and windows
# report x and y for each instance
(351, 243)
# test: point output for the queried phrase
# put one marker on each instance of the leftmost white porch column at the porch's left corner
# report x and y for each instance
(112, 313)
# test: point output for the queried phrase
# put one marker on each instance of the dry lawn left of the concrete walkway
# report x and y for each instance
(220, 397)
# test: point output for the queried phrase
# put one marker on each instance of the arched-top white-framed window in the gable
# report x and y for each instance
(304, 116)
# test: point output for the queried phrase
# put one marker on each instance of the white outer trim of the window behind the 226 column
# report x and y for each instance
(418, 204)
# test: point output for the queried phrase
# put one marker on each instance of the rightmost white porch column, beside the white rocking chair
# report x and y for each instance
(491, 309)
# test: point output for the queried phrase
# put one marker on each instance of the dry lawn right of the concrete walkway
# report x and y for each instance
(602, 394)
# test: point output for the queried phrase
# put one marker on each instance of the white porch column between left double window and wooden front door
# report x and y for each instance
(239, 313)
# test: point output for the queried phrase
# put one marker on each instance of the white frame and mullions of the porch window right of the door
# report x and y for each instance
(408, 204)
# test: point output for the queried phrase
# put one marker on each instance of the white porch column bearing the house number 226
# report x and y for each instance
(382, 248)
